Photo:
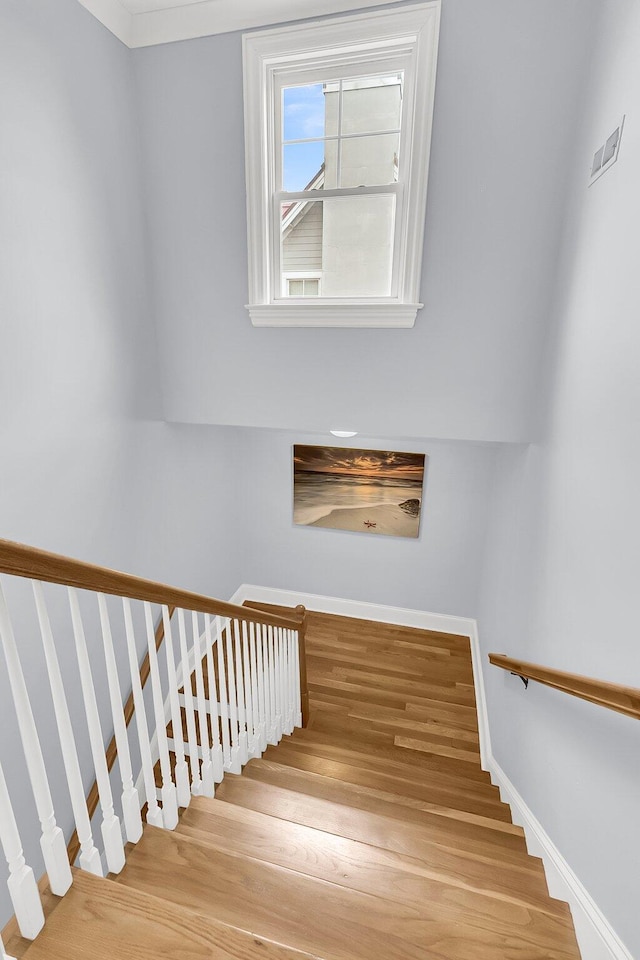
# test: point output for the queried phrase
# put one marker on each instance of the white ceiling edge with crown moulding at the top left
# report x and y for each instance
(142, 23)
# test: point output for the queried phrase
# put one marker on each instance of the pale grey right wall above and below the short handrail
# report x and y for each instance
(563, 564)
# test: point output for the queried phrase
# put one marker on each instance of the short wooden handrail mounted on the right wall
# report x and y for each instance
(614, 696)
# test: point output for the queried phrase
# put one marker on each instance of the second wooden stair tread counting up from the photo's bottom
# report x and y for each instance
(329, 920)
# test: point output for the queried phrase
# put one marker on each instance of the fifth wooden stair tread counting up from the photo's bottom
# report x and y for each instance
(432, 793)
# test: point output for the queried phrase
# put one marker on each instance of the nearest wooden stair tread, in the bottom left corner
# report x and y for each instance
(103, 920)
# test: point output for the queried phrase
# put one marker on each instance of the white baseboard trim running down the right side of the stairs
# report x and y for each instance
(596, 938)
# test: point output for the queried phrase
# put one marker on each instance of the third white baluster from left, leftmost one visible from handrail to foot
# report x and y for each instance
(89, 854)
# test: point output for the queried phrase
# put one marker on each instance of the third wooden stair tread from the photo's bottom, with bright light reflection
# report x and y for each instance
(351, 863)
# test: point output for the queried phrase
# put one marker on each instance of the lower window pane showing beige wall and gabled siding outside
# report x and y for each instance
(349, 241)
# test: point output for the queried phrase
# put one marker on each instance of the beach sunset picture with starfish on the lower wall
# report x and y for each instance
(365, 491)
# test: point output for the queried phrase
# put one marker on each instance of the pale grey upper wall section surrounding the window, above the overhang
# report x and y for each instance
(508, 81)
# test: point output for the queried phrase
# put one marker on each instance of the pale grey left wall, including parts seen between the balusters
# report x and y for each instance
(83, 470)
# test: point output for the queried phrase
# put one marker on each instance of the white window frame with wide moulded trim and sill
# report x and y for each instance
(271, 57)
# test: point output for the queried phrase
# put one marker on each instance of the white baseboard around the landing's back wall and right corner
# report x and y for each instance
(406, 617)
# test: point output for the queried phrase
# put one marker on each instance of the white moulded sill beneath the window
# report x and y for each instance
(296, 314)
